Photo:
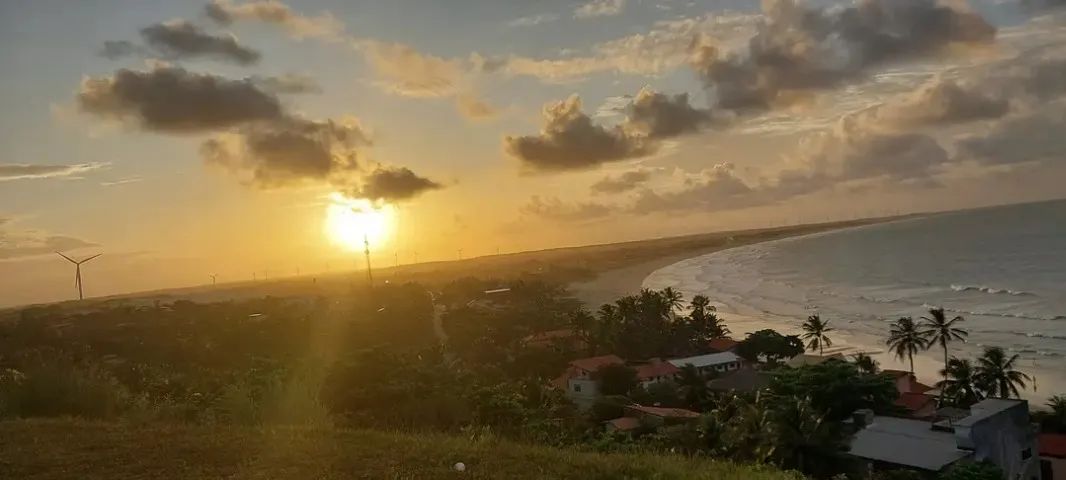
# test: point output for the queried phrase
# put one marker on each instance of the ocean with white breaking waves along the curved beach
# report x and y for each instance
(1004, 269)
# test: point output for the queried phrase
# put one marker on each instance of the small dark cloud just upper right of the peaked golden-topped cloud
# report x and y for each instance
(659, 116)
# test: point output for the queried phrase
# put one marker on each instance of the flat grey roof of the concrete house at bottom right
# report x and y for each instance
(907, 442)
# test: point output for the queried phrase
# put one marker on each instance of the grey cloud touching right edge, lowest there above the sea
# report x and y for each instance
(1028, 138)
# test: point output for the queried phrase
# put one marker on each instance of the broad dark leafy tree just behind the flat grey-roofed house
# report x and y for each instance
(836, 388)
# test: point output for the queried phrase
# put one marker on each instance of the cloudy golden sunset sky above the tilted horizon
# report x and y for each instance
(188, 139)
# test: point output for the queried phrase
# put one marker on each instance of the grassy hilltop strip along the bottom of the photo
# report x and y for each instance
(73, 450)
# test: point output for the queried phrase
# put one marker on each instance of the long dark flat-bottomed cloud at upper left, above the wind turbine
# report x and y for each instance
(171, 100)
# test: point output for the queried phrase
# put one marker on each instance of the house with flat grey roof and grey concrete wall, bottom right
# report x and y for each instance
(996, 430)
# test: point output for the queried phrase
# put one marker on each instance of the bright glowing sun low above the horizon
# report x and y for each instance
(349, 221)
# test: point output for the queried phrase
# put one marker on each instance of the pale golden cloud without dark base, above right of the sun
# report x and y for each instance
(408, 72)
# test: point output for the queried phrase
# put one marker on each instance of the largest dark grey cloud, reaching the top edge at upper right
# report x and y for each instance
(799, 49)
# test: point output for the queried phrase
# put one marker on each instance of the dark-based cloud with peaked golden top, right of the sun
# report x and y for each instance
(570, 140)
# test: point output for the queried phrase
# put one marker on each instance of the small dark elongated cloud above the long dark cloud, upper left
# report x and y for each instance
(182, 40)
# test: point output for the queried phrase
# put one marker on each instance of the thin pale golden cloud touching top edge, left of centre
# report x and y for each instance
(325, 26)
